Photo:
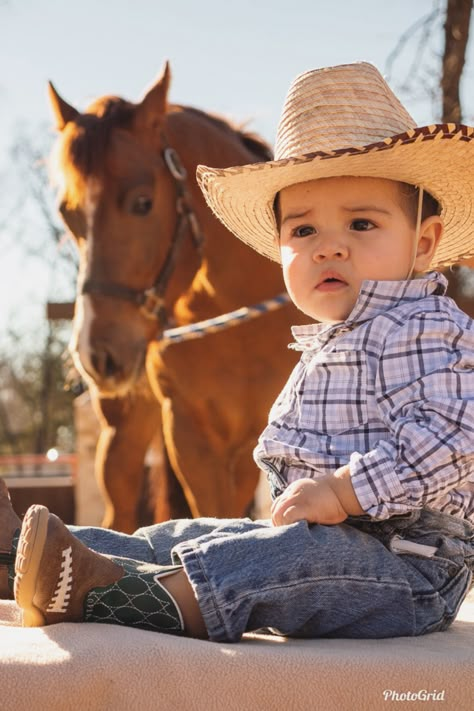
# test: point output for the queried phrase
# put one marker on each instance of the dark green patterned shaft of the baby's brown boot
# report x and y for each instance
(137, 600)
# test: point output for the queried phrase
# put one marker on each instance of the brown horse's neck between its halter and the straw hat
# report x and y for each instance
(232, 274)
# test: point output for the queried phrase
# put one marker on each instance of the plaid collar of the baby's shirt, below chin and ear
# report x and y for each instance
(375, 297)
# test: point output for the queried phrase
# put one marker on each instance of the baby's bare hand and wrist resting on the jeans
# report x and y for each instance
(327, 501)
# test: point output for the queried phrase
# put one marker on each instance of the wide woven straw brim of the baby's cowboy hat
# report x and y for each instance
(440, 158)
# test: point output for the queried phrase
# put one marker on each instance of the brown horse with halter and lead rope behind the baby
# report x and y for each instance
(153, 255)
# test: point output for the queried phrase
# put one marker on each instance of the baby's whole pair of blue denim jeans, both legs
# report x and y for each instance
(311, 580)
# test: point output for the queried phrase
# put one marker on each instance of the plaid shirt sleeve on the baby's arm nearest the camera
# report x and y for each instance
(425, 393)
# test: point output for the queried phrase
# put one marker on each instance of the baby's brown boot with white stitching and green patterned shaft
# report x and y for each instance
(59, 579)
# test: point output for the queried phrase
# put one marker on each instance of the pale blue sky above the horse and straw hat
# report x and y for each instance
(234, 58)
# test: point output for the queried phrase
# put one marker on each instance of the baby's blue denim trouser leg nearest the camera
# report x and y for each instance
(312, 581)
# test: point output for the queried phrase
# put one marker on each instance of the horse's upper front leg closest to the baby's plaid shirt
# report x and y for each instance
(218, 478)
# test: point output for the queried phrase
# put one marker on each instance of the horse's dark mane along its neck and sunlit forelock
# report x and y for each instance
(81, 152)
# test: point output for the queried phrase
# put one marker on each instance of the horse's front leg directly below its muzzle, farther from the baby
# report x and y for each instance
(128, 425)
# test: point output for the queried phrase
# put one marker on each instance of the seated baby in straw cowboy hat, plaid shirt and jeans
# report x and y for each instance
(369, 449)
